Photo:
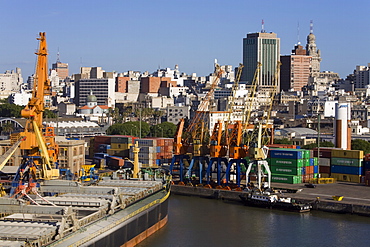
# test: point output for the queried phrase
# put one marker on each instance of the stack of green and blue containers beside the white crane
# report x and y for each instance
(292, 165)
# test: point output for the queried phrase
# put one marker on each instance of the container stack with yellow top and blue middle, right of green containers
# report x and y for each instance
(346, 165)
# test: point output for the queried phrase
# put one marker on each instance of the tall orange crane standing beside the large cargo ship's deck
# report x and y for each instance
(39, 149)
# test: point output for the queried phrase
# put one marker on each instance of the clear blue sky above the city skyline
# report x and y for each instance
(144, 35)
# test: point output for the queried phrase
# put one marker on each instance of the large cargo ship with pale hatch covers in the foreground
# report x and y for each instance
(112, 212)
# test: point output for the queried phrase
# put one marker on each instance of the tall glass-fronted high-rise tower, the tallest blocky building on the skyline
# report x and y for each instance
(261, 48)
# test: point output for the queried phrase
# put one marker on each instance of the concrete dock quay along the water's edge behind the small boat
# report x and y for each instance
(356, 197)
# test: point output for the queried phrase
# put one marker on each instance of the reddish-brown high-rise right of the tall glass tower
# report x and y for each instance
(295, 70)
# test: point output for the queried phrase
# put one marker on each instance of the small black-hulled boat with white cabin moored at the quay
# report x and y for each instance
(273, 200)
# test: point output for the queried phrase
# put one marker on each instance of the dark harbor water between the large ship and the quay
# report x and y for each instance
(195, 221)
